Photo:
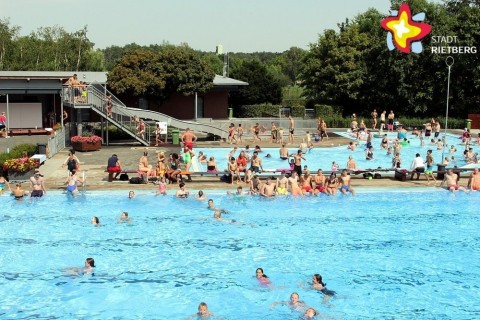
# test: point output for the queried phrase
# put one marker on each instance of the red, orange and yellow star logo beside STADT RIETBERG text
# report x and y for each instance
(404, 32)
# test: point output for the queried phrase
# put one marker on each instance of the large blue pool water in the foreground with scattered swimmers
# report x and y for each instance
(388, 255)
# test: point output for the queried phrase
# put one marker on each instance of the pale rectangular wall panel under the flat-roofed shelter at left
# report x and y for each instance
(23, 115)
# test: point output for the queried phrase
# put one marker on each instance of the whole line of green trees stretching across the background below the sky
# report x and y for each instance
(348, 68)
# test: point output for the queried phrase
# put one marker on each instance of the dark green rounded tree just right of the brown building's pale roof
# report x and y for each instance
(262, 88)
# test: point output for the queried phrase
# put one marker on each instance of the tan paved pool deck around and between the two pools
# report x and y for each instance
(94, 165)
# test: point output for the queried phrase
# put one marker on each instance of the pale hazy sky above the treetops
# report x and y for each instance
(238, 25)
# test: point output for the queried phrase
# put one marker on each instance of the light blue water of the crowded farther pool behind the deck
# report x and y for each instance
(322, 158)
